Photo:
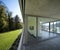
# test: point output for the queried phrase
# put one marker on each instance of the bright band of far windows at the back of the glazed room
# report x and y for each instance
(54, 27)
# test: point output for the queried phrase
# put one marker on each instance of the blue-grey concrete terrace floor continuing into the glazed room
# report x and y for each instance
(53, 42)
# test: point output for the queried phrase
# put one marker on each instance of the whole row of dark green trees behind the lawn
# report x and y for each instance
(7, 22)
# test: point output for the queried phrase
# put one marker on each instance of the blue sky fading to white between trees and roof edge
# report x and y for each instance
(13, 6)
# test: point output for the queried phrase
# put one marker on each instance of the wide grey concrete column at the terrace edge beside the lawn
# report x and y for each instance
(25, 38)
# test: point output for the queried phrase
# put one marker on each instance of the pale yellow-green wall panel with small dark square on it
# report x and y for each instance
(32, 24)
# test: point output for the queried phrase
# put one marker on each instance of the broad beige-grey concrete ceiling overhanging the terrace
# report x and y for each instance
(45, 8)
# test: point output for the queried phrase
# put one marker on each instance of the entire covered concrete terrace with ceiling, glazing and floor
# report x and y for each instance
(41, 25)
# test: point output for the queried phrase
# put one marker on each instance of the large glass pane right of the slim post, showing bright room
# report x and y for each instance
(46, 29)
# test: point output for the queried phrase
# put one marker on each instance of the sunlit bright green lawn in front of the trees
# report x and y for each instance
(8, 38)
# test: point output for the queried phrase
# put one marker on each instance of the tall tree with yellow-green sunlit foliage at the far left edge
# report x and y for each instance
(3, 18)
